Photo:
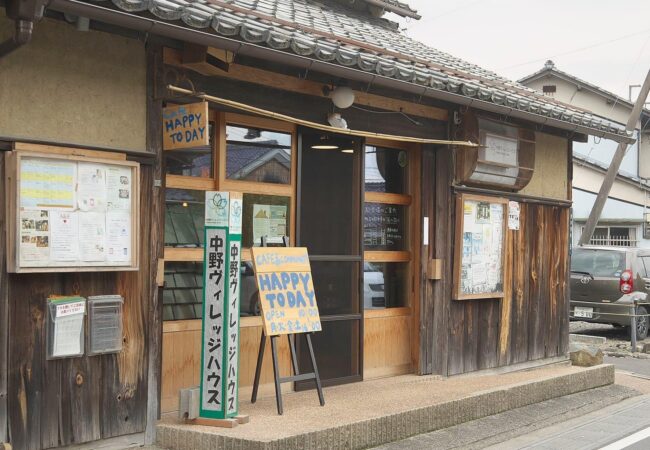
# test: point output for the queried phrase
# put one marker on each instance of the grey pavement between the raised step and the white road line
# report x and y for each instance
(531, 426)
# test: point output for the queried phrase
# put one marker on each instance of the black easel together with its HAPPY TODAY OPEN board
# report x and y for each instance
(288, 306)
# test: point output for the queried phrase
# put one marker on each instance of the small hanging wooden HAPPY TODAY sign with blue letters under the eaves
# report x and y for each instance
(185, 126)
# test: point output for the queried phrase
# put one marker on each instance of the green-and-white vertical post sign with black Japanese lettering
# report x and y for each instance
(220, 323)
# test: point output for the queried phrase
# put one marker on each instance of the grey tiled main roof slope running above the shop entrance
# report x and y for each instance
(335, 34)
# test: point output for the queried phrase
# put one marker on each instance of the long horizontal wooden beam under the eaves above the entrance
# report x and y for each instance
(249, 74)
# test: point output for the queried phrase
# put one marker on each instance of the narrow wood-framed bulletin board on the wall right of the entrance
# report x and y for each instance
(480, 247)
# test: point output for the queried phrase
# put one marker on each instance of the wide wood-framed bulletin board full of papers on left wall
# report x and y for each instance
(68, 212)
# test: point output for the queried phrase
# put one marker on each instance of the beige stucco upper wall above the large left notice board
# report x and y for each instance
(74, 87)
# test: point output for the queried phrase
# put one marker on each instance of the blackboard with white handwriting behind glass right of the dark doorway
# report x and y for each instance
(383, 227)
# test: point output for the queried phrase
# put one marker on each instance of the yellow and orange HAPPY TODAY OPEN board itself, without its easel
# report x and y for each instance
(287, 298)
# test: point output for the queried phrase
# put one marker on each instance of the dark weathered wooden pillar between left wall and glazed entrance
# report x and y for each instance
(155, 86)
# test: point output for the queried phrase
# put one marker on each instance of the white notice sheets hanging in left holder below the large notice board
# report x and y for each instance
(68, 326)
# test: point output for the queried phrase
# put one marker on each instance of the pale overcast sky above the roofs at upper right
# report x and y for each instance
(604, 42)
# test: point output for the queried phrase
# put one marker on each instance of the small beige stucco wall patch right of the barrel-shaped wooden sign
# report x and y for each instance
(550, 175)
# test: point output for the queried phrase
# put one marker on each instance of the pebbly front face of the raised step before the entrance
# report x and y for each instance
(382, 430)
